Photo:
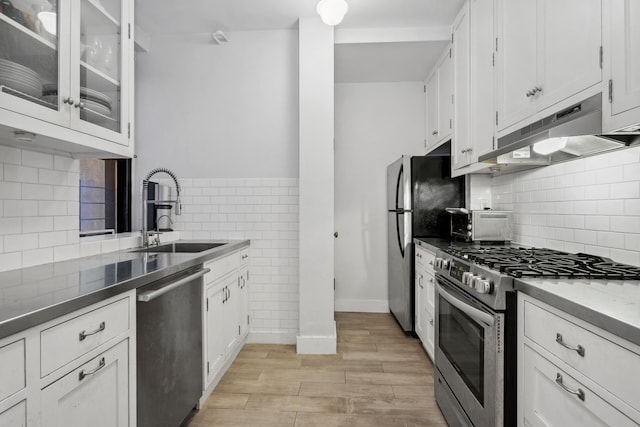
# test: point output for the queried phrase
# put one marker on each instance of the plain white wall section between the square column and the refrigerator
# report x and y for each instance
(375, 124)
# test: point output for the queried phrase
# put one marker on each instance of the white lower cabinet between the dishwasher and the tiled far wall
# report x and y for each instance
(225, 314)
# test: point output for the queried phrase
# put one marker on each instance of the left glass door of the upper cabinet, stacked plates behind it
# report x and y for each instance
(32, 51)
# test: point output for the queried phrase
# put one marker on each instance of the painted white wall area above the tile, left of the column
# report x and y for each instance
(219, 111)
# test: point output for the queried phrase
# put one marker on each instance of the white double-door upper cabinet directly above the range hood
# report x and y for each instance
(547, 52)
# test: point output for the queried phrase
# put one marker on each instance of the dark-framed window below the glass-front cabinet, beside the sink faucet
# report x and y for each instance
(105, 196)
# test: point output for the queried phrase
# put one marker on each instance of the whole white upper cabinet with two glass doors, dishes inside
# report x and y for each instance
(66, 73)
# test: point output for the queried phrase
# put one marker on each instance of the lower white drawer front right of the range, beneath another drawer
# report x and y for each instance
(548, 404)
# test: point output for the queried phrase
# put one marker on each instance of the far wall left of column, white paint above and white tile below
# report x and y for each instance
(225, 120)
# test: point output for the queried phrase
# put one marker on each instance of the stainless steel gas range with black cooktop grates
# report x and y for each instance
(475, 342)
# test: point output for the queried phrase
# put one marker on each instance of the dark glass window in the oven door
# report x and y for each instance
(461, 340)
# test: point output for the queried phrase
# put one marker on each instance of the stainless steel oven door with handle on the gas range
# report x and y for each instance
(468, 354)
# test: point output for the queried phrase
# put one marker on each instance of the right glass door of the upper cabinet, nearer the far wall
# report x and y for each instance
(99, 72)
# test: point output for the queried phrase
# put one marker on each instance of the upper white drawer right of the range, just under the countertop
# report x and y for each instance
(600, 359)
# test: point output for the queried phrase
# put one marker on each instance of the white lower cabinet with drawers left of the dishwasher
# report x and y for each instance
(86, 379)
